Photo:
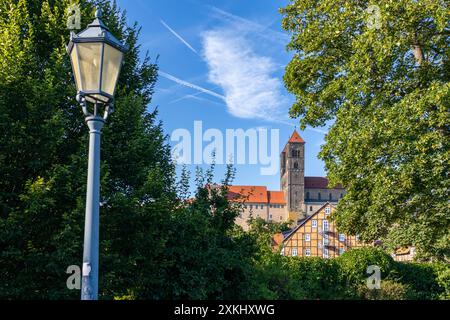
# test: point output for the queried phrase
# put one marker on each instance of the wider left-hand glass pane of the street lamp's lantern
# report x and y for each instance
(89, 55)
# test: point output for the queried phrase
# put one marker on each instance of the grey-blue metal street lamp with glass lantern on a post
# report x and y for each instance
(97, 57)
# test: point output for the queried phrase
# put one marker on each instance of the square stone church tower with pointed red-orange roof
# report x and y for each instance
(292, 176)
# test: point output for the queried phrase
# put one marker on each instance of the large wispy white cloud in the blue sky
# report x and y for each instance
(246, 78)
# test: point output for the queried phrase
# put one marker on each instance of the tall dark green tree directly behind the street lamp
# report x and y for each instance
(43, 160)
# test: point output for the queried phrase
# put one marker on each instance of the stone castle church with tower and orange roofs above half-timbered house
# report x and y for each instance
(299, 198)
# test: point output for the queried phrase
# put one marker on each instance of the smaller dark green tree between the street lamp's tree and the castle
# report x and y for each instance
(211, 260)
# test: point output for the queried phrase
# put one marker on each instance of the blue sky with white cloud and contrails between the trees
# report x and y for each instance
(222, 63)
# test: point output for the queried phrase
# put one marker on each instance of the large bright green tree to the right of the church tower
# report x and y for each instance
(382, 82)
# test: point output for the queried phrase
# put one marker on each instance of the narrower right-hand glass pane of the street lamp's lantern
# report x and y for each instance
(112, 62)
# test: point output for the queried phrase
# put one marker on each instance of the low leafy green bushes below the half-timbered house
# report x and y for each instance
(345, 277)
